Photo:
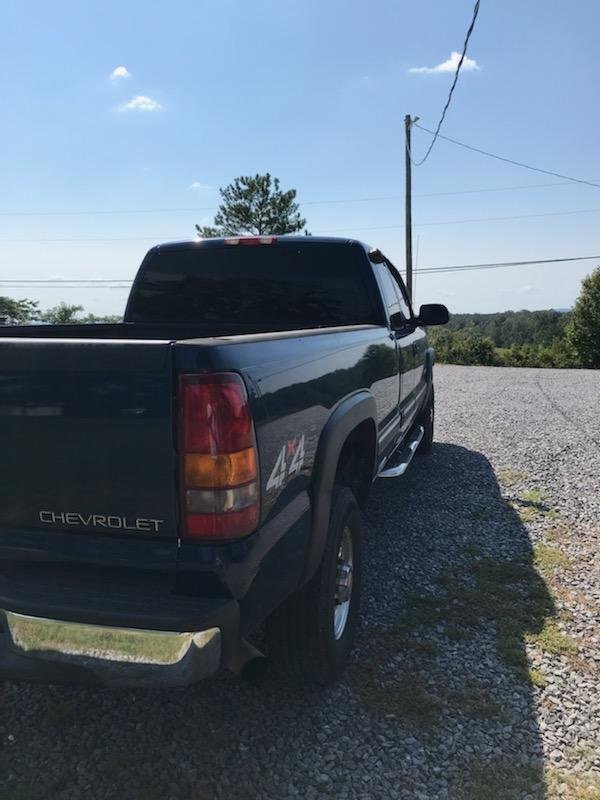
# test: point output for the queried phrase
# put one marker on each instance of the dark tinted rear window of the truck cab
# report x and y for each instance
(271, 287)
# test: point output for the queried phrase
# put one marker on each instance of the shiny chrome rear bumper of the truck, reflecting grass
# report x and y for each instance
(116, 656)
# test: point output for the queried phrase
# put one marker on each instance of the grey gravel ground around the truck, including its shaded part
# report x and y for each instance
(477, 670)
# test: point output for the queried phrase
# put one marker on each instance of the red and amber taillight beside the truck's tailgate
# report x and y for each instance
(219, 466)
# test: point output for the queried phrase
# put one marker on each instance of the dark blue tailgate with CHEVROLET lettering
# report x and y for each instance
(87, 439)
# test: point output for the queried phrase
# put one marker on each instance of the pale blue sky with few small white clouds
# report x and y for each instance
(147, 108)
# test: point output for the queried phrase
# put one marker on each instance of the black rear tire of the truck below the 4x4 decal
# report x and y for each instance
(301, 633)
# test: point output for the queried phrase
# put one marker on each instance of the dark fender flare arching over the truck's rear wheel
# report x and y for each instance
(347, 416)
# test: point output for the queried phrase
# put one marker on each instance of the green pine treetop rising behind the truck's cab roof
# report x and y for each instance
(255, 205)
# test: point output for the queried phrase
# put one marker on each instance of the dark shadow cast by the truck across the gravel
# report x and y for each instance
(439, 700)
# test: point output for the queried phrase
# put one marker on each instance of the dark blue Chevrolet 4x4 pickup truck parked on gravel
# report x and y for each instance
(175, 483)
